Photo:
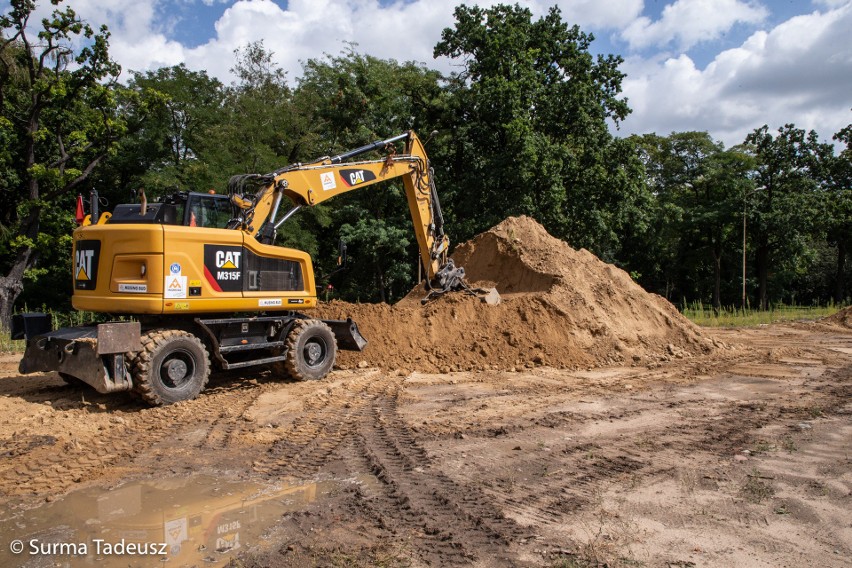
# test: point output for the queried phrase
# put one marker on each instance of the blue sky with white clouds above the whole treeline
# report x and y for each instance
(724, 66)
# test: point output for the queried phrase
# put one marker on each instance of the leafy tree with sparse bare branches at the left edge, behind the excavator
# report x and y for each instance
(59, 122)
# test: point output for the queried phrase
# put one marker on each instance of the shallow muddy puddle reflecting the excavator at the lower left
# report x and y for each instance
(194, 521)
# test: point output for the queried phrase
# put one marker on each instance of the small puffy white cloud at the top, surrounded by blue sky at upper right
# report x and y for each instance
(688, 22)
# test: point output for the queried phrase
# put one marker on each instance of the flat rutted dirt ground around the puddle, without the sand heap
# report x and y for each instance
(742, 457)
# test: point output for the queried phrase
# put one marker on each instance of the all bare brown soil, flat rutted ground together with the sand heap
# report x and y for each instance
(582, 422)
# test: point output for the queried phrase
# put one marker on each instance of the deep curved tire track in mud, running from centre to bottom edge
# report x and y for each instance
(452, 524)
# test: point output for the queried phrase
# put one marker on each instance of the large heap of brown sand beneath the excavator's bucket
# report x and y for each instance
(561, 307)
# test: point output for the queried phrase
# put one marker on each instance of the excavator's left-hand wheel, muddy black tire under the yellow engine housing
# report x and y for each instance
(172, 366)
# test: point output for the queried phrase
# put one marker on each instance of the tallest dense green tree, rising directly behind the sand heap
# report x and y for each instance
(528, 128)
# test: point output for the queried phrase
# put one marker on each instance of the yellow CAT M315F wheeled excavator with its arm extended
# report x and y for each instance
(197, 276)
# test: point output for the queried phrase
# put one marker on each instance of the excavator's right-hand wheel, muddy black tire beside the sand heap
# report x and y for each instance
(311, 350)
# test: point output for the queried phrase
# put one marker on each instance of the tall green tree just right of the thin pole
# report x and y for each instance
(786, 177)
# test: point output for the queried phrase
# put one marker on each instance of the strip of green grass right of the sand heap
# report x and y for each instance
(730, 316)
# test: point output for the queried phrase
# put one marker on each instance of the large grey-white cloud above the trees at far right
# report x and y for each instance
(799, 72)
